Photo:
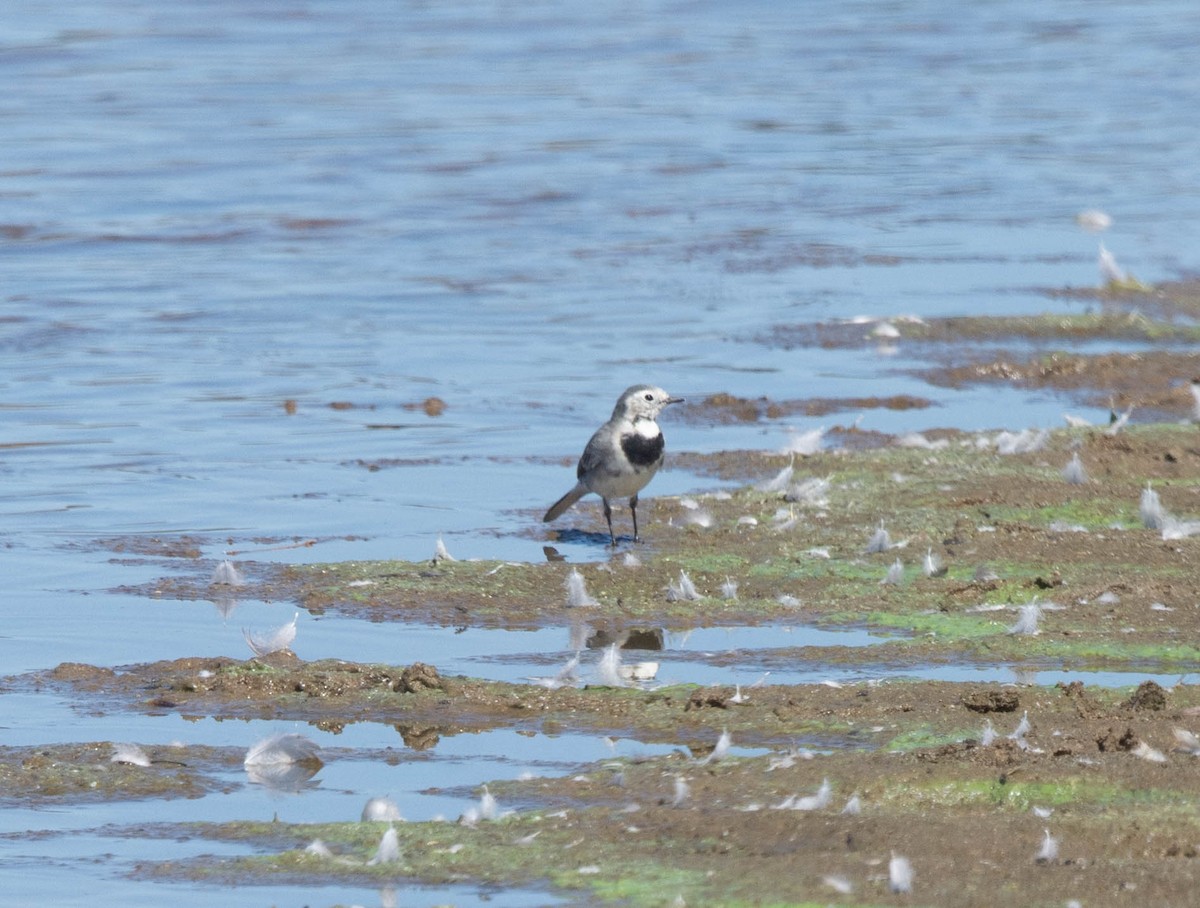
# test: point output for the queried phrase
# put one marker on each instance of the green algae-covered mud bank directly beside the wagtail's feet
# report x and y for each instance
(1041, 537)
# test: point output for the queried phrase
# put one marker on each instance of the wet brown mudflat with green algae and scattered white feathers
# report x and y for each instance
(1025, 551)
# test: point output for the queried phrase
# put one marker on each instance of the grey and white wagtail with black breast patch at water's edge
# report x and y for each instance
(623, 455)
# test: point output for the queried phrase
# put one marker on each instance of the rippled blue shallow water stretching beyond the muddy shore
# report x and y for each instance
(212, 209)
